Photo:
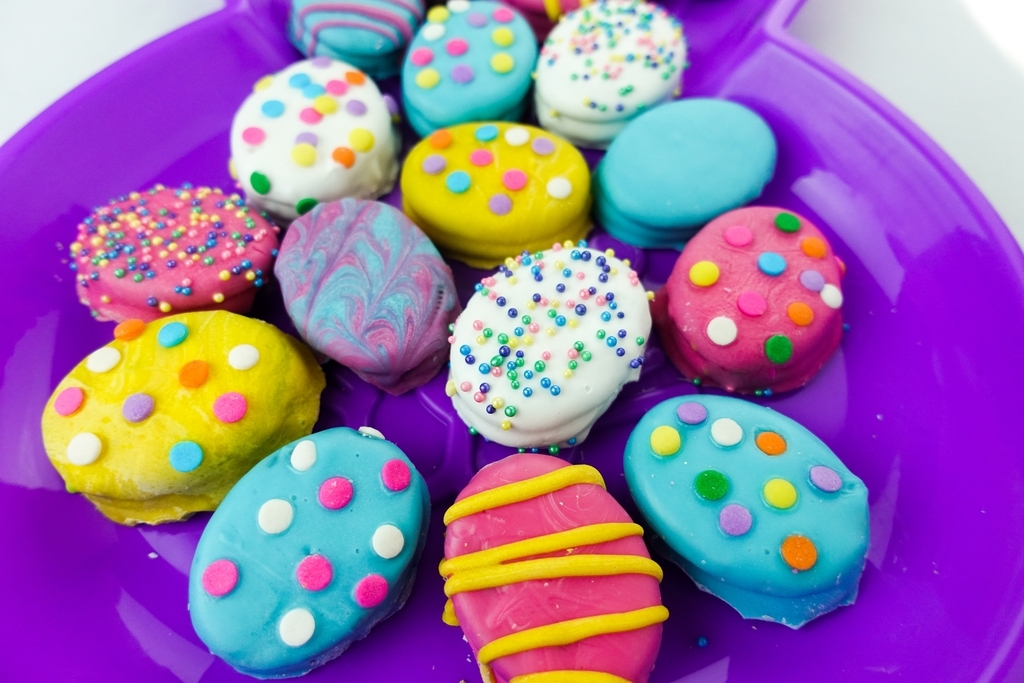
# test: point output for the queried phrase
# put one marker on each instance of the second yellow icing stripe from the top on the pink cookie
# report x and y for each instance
(583, 536)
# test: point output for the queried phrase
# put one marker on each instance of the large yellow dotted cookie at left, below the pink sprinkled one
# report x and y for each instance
(161, 422)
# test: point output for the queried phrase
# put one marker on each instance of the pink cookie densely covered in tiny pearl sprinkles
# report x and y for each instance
(169, 251)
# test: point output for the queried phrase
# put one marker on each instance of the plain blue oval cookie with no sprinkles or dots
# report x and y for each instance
(680, 165)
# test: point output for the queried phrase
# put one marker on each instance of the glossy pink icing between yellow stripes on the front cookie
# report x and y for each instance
(489, 615)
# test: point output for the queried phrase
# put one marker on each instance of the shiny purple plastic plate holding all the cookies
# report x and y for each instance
(920, 401)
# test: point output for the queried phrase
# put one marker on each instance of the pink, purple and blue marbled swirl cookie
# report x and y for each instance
(367, 288)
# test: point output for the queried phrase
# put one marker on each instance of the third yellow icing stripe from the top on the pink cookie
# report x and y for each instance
(550, 568)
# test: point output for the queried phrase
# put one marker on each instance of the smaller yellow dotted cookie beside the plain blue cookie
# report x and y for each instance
(484, 191)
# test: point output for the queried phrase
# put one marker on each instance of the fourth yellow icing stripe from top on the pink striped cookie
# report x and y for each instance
(572, 631)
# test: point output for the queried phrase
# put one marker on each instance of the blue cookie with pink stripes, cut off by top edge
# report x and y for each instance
(367, 34)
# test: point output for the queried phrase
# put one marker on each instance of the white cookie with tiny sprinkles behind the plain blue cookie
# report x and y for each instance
(605, 65)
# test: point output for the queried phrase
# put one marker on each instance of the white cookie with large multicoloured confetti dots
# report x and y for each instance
(318, 132)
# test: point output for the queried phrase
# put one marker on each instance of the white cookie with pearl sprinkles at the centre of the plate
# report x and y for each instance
(546, 345)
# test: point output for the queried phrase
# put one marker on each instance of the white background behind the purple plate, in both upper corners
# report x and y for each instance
(955, 67)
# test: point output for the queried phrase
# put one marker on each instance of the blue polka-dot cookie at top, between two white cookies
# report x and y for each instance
(471, 62)
